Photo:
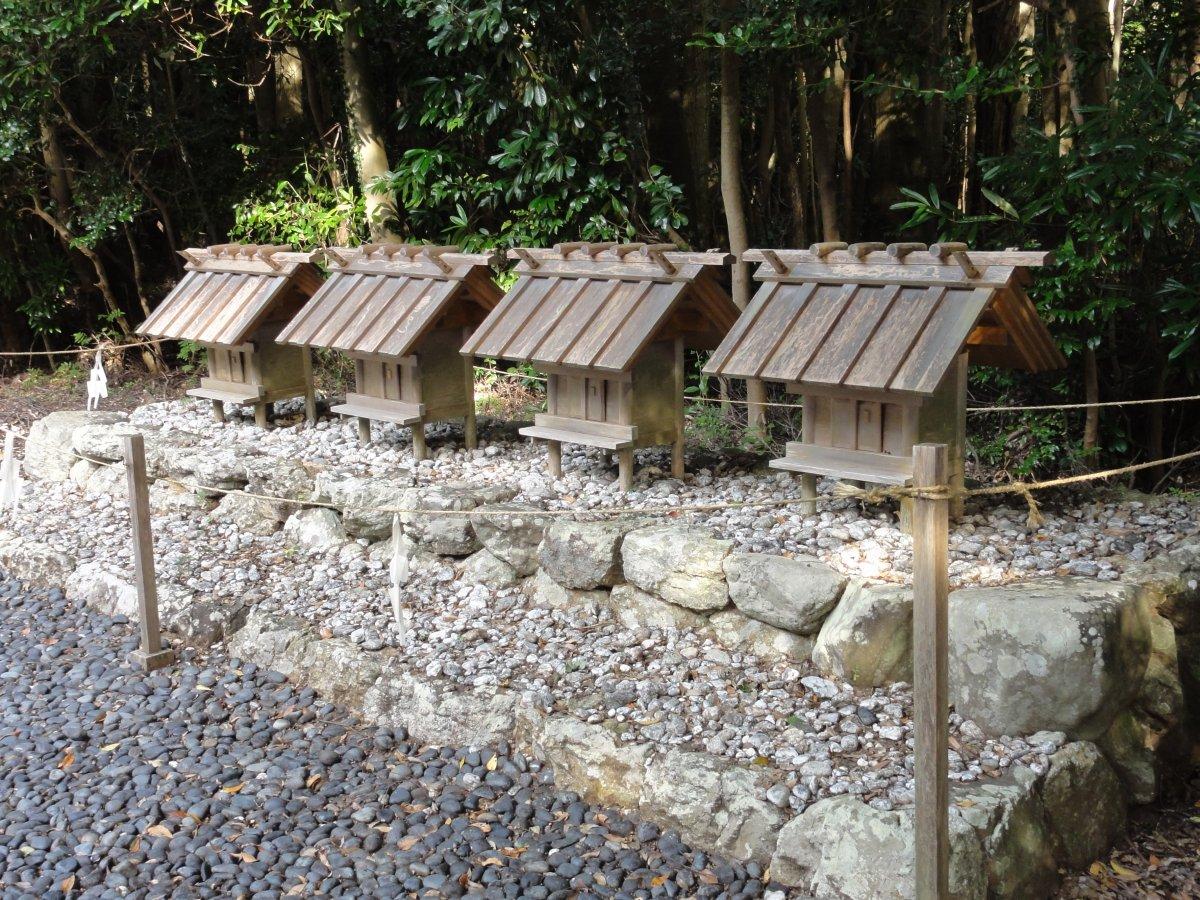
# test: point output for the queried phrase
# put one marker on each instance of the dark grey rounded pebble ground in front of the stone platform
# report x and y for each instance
(218, 779)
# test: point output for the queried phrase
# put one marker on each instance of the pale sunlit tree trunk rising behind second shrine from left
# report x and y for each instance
(367, 130)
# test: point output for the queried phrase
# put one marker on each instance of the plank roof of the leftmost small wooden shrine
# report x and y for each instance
(227, 292)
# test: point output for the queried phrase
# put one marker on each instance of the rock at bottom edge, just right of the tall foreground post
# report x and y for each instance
(1010, 820)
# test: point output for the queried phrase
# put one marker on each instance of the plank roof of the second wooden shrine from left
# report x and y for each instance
(383, 298)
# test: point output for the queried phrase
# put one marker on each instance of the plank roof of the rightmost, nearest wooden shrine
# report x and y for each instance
(868, 319)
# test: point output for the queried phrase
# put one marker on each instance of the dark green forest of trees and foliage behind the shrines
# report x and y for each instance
(133, 129)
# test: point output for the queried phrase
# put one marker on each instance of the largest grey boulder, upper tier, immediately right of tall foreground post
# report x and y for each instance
(1048, 656)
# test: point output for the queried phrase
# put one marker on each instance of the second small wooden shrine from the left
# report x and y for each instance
(403, 311)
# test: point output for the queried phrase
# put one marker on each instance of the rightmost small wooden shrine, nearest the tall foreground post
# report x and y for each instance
(878, 340)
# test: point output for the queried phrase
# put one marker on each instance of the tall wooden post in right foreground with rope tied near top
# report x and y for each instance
(931, 589)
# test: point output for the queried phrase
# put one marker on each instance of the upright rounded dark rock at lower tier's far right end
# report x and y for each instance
(1084, 803)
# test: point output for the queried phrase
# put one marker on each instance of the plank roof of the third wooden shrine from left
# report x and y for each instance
(598, 305)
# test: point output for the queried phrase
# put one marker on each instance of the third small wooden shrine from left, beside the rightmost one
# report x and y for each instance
(608, 325)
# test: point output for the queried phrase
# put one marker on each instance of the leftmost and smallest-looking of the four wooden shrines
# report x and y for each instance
(232, 302)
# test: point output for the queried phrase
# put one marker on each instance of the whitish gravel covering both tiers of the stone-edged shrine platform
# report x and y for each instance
(677, 688)
